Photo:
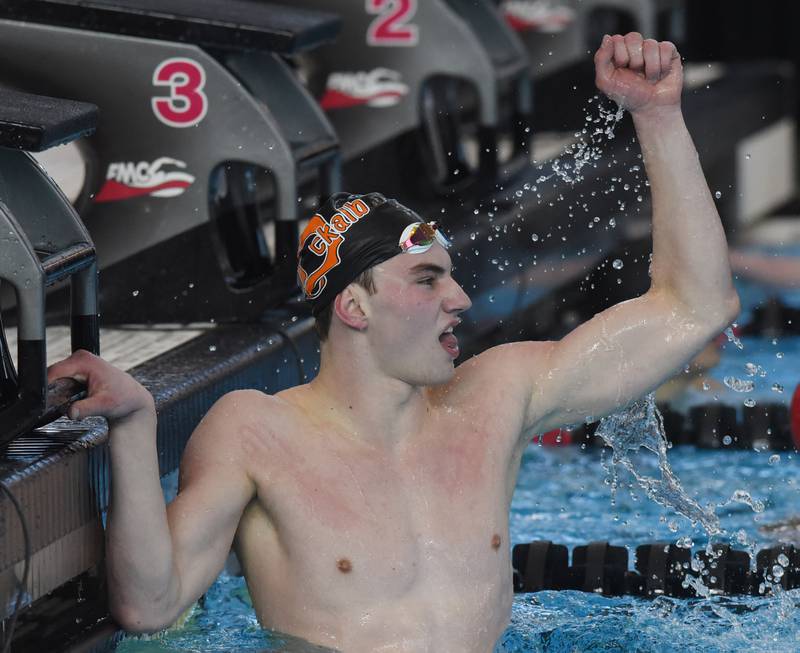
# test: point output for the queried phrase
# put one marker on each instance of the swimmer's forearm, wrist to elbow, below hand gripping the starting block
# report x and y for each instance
(143, 587)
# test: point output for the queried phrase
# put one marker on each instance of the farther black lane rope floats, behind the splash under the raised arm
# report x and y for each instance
(710, 426)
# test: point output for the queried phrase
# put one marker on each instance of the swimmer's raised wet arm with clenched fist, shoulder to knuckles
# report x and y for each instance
(633, 347)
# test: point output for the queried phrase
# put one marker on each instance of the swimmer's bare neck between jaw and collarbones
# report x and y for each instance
(372, 406)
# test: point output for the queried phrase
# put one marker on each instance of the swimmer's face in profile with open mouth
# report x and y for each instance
(416, 300)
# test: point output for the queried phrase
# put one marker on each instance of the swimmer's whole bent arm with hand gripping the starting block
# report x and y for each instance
(160, 559)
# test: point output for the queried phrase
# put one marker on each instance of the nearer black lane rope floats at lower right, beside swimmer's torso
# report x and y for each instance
(660, 569)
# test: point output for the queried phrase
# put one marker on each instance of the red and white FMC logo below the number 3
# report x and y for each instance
(127, 179)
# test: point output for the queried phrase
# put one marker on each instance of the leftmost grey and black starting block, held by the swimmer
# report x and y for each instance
(43, 243)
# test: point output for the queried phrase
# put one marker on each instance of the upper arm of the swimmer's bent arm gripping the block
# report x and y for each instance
(214, 490)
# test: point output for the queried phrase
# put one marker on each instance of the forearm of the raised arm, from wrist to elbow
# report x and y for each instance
(690, 256)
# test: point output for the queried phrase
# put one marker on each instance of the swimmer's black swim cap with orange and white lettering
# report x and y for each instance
(349, 234)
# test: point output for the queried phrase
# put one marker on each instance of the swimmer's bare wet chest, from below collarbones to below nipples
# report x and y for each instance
(357, 523)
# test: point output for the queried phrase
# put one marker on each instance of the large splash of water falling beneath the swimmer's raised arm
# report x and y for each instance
(641, 426)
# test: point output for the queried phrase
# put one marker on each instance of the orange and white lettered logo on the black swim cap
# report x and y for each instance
(326, 237)
